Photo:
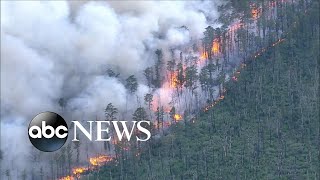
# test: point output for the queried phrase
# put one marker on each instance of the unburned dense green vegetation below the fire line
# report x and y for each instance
(267, 126)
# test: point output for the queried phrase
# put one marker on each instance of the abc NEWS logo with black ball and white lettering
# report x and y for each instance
(48, 131)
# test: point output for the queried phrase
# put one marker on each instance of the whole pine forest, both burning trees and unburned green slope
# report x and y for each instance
(240, 103)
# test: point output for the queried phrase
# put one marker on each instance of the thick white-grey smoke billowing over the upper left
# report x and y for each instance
(57, 50)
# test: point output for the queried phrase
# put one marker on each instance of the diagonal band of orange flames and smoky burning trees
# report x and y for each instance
(221, 48)
